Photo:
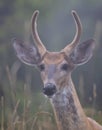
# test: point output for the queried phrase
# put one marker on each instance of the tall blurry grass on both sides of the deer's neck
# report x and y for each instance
(22, 110)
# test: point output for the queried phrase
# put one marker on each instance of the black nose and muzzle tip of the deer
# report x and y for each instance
(49, 89)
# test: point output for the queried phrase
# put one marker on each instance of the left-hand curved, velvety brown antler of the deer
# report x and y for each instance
(35, 35)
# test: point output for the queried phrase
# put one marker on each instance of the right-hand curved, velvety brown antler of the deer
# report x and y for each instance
(77, 35)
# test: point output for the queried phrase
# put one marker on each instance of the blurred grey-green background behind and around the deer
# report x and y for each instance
(22, 84)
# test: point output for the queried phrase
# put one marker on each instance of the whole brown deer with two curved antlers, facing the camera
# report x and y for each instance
(56, 69)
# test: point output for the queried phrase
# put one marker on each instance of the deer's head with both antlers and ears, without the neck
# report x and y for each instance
(55, 67)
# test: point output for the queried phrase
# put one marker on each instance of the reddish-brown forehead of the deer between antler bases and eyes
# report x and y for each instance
(53, 58)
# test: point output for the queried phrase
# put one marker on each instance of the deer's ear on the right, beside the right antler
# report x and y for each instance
(83, 52)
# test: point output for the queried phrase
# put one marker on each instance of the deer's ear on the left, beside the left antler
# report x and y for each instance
(28, 54)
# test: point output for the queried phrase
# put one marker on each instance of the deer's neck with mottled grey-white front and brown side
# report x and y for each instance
(68, 111)
